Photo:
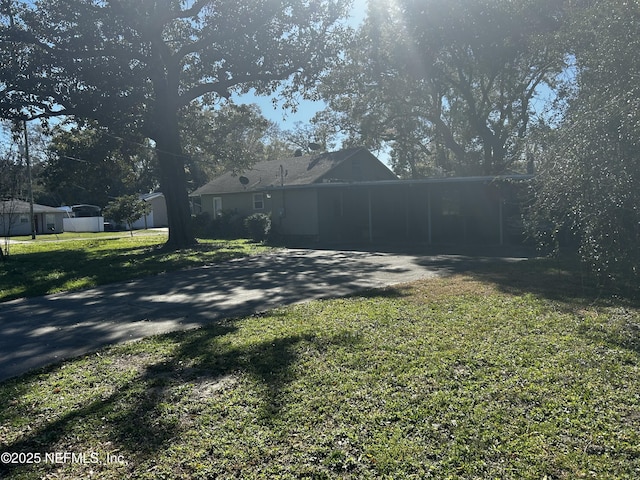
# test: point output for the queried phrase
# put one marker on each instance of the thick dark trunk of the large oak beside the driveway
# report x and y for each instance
(173, 181)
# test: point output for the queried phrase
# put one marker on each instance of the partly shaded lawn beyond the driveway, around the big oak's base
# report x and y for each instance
(76, 261)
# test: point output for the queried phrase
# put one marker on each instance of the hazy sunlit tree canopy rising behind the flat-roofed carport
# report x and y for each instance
(449, 83)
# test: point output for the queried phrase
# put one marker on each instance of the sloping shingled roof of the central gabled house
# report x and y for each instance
(292, 171)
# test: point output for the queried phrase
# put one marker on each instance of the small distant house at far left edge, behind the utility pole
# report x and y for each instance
(14, 218)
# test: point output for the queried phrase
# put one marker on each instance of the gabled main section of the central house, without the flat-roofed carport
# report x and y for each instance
(289, 189)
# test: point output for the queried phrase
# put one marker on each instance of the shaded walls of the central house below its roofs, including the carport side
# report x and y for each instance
(448, 212)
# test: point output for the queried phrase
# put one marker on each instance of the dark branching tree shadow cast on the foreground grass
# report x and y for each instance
(134, 419)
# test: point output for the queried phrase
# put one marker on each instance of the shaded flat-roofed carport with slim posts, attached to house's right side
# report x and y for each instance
(470, 210)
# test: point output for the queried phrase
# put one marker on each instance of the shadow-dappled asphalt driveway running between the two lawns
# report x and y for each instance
(39, 331)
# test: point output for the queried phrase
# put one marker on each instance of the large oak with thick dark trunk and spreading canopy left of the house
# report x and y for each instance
(135, 65)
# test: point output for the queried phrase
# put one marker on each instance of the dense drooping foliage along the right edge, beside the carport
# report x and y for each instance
(590, 182)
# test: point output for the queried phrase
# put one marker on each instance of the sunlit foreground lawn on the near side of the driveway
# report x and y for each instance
(503, 374)
